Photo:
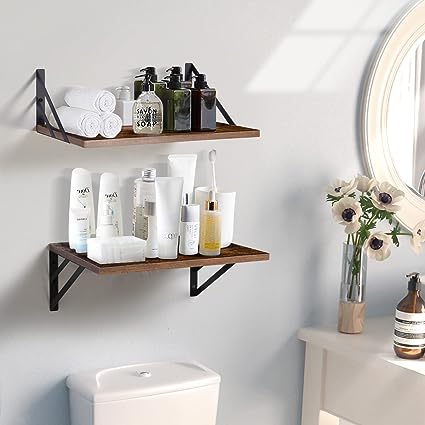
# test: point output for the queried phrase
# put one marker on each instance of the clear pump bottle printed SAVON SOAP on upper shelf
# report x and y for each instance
(148, 110)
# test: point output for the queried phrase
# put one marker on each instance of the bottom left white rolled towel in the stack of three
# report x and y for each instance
(78, 121)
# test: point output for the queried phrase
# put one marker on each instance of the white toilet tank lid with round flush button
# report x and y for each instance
(140, 380)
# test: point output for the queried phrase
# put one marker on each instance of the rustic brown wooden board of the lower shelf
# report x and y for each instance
(230, 255)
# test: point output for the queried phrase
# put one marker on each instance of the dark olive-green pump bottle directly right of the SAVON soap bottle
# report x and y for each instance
(177, 108)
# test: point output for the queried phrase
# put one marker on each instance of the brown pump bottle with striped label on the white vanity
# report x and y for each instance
(409, 328)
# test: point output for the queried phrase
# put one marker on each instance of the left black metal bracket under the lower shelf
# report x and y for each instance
(55, 295)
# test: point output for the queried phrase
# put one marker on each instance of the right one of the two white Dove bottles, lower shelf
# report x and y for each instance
(109, 194)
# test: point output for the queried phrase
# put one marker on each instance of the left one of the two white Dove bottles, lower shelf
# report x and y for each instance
(80, 197)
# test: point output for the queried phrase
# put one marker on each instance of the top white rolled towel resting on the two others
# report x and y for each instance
(95, 100)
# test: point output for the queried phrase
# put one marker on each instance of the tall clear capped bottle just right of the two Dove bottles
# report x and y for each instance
(144, 190)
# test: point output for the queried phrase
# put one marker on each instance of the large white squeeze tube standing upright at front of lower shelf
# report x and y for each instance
(168, 203)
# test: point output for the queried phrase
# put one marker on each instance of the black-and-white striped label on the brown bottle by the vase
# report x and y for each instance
(409, 330)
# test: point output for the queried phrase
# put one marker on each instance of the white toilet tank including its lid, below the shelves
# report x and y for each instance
(170, 393)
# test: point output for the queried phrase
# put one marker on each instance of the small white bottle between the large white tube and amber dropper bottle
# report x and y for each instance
(189, 229)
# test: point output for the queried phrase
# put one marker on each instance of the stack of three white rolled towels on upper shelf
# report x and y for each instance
(89, 112)
